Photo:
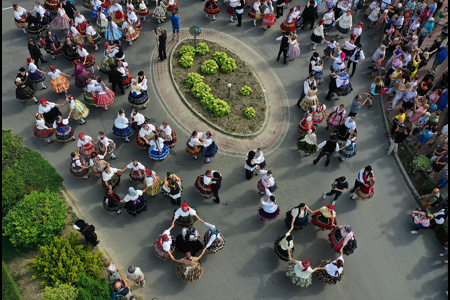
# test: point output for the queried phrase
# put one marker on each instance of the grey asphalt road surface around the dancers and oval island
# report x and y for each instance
(389, 263)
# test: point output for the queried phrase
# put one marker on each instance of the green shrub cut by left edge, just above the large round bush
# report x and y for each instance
(13, 189)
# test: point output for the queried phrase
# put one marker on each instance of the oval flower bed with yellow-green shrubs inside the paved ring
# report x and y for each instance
(213, 103)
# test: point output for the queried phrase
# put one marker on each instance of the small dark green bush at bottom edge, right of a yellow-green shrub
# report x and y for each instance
(91, 289)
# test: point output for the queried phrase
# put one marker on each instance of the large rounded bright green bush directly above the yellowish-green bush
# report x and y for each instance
(36, 219)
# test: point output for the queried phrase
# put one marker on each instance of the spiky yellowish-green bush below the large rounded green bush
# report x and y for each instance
(63, 259)
